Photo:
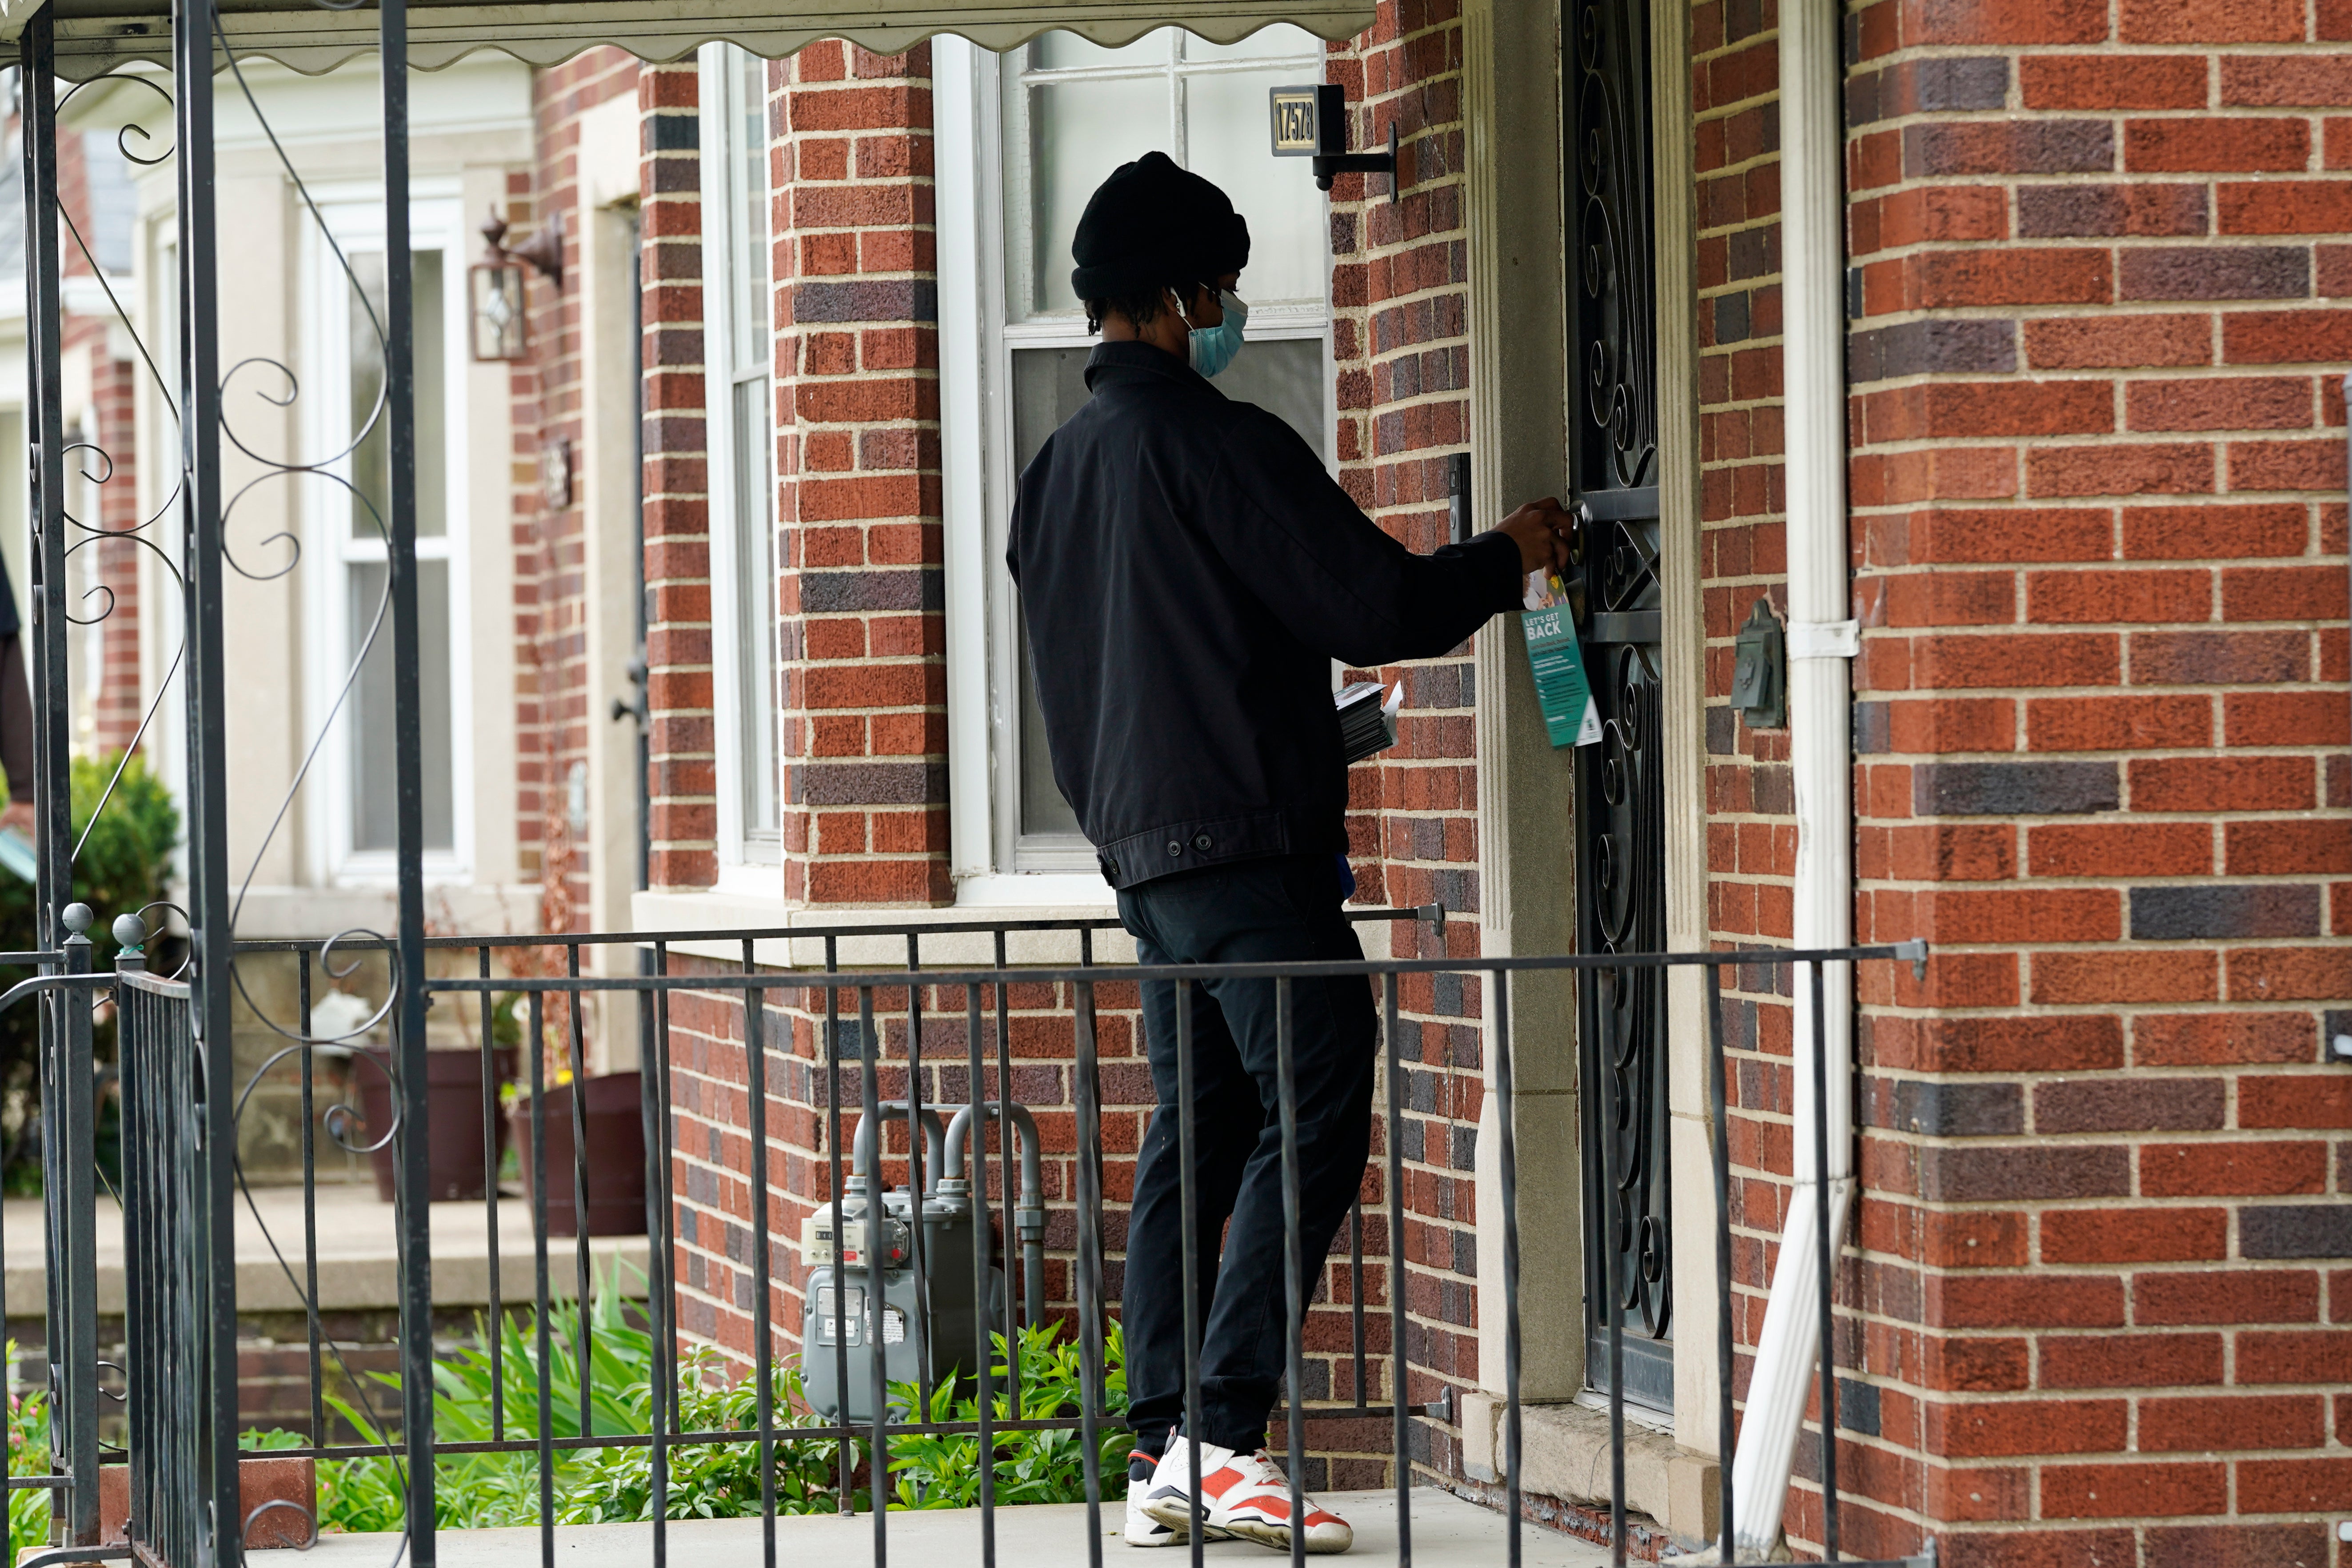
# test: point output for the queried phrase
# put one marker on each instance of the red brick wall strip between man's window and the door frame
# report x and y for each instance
(1403, 349)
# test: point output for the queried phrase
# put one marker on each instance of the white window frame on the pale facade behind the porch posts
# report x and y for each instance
(356, 220)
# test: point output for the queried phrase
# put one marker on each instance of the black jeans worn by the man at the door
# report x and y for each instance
(1252, 911)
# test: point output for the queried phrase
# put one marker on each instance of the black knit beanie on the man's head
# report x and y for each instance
(1156, 225)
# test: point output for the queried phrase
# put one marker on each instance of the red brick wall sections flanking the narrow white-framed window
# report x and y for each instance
(860, 601)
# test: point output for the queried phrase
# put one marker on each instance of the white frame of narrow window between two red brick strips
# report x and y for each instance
(749, 857)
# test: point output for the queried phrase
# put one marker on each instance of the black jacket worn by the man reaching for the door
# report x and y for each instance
(1189, 572)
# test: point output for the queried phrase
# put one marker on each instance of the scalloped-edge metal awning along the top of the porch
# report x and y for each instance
(98, 36)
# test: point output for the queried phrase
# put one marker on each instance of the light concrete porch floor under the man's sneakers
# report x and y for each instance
(1448, 1534)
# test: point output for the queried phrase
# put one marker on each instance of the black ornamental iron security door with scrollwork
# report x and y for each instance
(1619, 782)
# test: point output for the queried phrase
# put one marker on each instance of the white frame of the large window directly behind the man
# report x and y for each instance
(982, 269)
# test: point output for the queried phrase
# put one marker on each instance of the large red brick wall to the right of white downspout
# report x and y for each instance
(2099, 478)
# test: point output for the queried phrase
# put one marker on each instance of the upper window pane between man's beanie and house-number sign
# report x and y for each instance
(1227, 145)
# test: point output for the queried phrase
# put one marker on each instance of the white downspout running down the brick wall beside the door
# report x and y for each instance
(1822, 638)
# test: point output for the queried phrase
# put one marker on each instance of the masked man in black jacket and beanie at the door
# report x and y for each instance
(1189, 572)
